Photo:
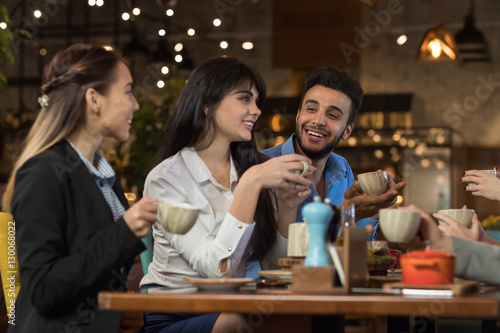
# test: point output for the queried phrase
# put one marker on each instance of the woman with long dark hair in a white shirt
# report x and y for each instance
(209, 159)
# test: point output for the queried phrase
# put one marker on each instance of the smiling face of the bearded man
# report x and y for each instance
(321, 121)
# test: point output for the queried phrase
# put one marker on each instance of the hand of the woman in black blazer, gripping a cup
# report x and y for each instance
(141, 216)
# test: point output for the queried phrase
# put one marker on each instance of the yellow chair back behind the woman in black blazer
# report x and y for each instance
(9, 268)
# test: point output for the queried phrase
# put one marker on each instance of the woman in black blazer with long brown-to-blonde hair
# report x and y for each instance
(75, 233)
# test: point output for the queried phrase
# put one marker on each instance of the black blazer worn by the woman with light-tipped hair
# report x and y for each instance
(69, 247)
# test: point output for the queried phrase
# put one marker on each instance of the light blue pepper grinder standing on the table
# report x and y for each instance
(317, 215)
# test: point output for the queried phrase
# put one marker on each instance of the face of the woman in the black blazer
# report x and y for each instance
(118, 105)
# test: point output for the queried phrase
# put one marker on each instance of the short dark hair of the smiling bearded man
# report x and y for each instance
(331, 77)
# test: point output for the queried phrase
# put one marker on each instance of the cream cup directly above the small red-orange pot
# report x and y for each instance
(399, 226)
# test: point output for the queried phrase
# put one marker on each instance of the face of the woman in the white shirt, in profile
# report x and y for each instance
(236, 114)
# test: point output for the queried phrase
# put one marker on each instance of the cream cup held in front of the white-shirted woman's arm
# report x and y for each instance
(177, 218)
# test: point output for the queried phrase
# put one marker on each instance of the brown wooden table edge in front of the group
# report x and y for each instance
(287, 305)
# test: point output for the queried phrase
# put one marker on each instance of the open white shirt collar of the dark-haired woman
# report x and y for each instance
(200, 171)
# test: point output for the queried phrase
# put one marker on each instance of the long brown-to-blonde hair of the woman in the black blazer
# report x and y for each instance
(65, 80)
